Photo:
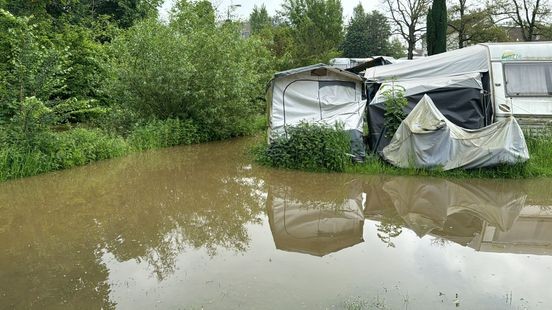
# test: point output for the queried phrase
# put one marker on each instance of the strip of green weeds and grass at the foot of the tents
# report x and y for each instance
(306, 150)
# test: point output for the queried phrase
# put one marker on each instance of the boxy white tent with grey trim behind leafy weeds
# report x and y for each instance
(317, 94)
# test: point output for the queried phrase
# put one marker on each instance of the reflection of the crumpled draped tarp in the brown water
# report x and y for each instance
(455, 211)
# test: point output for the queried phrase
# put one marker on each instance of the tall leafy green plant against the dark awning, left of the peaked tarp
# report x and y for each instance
(395, 102)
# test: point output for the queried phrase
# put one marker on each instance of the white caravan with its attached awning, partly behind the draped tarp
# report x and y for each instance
(473, 86)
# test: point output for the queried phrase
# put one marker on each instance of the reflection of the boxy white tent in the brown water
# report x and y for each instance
(316, 228)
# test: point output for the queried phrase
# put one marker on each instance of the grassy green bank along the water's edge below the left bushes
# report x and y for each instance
(49, 150)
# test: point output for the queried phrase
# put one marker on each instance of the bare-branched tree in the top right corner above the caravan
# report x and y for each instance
(529, 15)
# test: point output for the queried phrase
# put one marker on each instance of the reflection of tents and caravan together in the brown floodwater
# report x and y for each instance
(486, 215)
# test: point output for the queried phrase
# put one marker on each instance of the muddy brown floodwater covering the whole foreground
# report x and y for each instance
(202, 227)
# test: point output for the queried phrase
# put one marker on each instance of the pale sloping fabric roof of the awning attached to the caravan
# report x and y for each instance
(466, 60)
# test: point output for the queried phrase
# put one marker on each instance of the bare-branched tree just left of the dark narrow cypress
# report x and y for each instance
(408, 16)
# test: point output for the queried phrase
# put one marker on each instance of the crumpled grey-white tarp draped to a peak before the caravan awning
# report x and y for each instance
(426, 139)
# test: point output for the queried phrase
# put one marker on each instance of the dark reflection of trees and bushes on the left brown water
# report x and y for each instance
(150, 207)
